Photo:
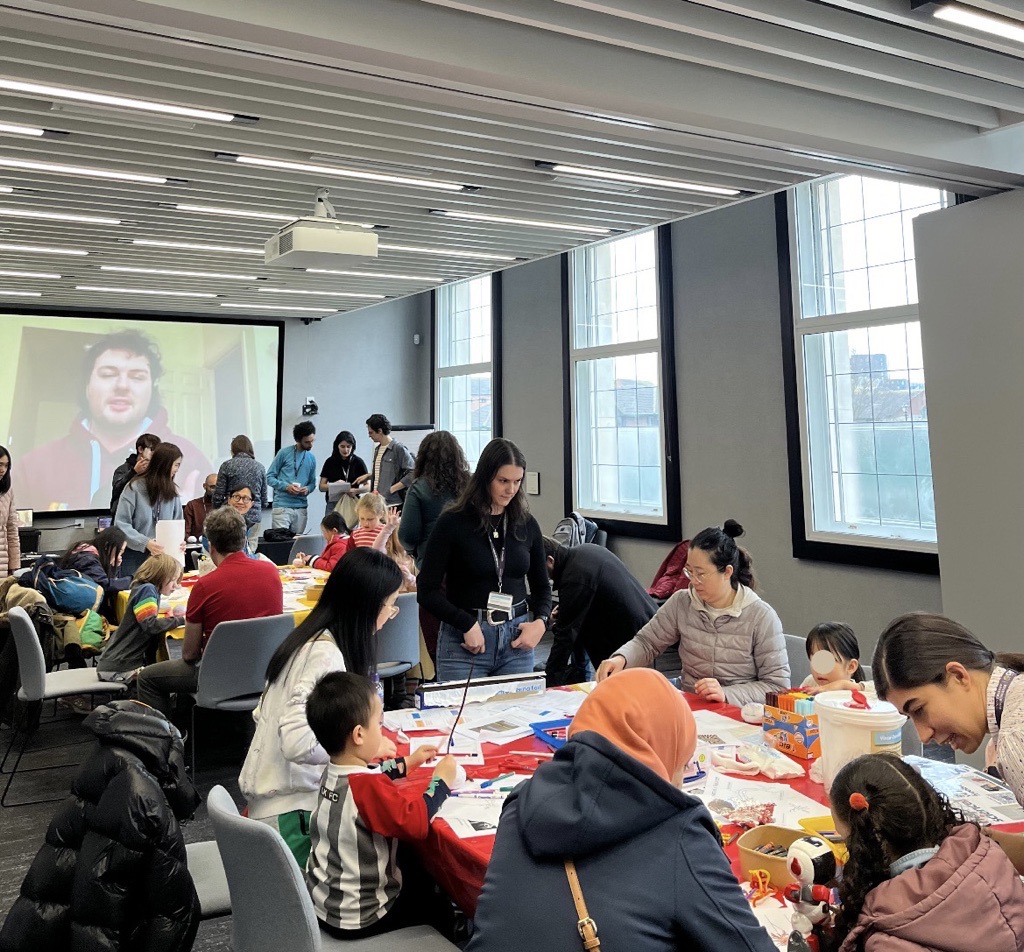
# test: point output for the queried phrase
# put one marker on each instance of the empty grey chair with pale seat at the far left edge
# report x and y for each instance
(38, 686)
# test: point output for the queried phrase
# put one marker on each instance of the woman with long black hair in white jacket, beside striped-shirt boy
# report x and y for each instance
(282, 773)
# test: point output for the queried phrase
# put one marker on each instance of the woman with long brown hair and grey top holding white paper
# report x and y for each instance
(146, 501)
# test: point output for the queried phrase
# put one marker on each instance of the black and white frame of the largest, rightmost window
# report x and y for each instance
(808, 543)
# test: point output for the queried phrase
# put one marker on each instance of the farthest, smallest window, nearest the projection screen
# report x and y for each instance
(465, 363)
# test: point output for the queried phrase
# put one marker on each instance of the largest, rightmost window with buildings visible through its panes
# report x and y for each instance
(860, 369)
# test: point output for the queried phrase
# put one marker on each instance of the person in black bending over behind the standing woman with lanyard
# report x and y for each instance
(600, 602)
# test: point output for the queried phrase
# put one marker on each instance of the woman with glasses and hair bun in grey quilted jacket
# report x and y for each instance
(732, 644)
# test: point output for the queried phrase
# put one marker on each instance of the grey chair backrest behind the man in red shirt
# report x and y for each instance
(236, 658)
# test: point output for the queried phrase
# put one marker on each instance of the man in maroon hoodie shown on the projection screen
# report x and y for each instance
(120, 401)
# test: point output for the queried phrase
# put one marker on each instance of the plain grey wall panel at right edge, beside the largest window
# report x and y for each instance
(972, 289)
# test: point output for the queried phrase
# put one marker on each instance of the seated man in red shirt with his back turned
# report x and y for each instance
(241, 588)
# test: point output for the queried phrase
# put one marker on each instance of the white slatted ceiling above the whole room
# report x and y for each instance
(750, 95)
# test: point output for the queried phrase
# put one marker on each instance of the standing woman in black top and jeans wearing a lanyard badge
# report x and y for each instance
(484, 549)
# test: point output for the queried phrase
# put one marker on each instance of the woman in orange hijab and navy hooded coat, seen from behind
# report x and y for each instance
(649, 856)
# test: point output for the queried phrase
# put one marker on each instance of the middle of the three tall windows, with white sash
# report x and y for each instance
(617, 386)
